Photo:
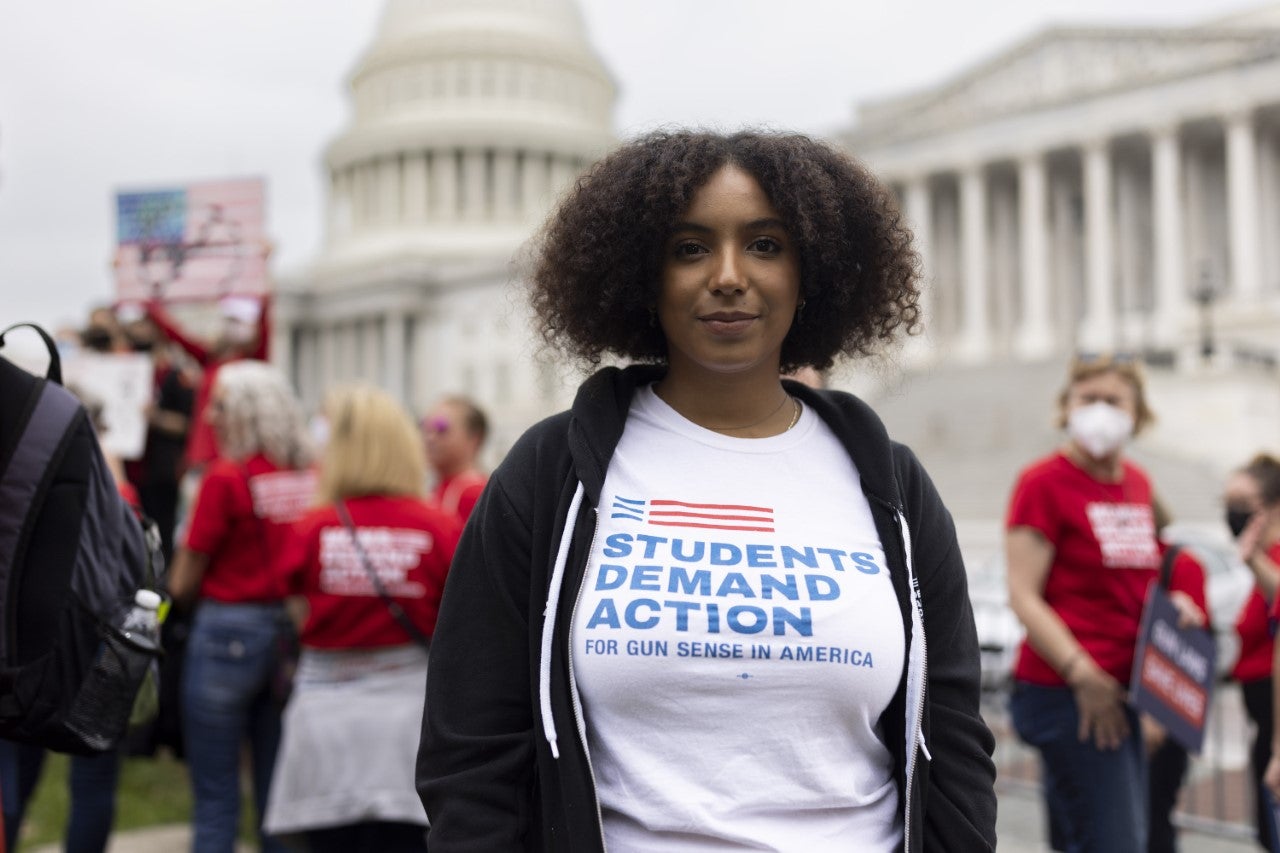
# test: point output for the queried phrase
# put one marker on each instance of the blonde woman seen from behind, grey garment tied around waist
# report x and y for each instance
(371, 564)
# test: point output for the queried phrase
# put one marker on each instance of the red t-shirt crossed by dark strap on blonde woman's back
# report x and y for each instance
(410, 545)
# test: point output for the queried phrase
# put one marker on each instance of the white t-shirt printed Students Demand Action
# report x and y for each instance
(735, 642)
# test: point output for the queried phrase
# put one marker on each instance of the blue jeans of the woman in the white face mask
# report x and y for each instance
(1098, 799)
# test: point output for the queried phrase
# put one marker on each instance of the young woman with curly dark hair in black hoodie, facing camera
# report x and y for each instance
(691, 613)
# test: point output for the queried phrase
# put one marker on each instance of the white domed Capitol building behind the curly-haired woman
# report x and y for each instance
(469, 118)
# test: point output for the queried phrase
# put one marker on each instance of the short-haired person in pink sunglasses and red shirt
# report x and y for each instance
(456, 431)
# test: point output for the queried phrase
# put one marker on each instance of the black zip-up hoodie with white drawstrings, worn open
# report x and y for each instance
(504, 764)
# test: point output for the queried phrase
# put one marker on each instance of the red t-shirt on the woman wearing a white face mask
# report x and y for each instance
(1105, 556)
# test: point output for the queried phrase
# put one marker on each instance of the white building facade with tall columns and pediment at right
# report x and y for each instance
(1096, 189)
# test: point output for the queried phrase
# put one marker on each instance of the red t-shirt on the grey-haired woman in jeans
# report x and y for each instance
(240, 522)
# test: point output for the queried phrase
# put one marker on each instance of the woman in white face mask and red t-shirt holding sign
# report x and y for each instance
(1082, 551)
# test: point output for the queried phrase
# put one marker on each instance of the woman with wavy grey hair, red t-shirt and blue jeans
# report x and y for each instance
(249, 496)
